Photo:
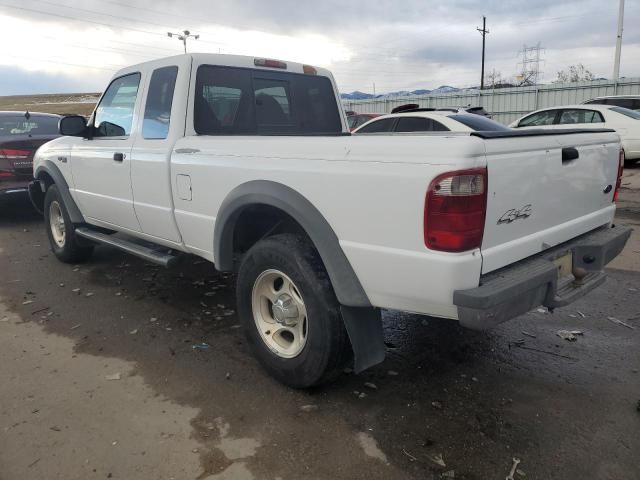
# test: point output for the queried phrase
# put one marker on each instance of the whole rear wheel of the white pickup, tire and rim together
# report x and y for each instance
(290, 312)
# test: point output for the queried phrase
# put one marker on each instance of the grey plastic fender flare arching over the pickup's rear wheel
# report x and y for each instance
(348, 289)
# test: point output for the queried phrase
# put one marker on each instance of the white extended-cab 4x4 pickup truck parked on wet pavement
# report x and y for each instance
(248, 163)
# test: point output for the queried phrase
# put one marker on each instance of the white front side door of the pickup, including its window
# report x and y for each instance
(101, 165)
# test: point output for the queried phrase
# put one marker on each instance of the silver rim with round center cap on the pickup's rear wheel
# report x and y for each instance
(279, 313)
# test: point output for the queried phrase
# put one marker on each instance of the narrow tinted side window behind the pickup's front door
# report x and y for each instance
(157, 111)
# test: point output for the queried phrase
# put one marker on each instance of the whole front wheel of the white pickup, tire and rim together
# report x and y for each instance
(64, 243)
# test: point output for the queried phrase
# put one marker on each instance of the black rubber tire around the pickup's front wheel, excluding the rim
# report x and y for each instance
(73, 249)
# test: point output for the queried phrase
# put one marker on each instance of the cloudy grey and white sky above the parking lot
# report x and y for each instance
(62, 46)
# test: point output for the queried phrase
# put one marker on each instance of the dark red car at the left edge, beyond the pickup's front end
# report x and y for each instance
(20, 136)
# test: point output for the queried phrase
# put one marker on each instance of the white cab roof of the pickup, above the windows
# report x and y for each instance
(242, 61)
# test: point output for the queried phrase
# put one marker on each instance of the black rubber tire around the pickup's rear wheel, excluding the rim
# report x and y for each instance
(327, 349)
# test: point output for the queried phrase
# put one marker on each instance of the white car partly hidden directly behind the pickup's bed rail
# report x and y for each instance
(429, 120)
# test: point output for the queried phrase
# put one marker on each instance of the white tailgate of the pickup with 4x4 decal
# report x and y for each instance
(537, 200)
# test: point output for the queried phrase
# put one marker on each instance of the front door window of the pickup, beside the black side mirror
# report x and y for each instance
(114, 115)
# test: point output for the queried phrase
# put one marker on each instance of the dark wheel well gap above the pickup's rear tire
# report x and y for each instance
(260, 221)
